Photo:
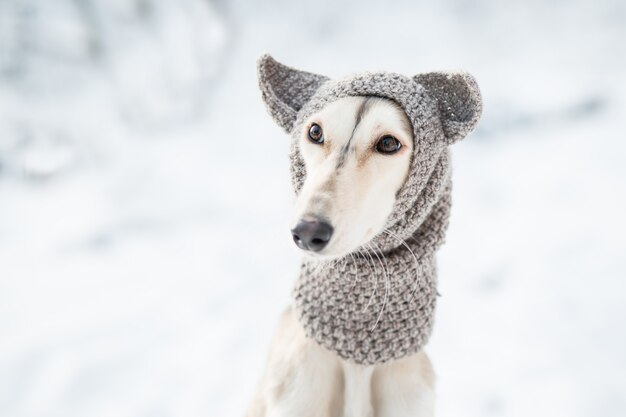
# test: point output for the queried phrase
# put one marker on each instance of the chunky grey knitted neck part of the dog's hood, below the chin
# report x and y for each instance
(377, 303)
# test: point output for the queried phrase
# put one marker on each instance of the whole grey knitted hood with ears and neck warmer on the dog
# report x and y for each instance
(377, 304)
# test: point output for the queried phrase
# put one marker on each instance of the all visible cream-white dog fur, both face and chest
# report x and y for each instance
(303, 379)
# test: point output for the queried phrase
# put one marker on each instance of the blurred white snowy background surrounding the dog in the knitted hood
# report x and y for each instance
(144, 197)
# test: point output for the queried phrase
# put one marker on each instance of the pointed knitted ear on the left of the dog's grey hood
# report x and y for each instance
(285, 90)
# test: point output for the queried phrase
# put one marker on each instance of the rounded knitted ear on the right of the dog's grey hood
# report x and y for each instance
(458, 100)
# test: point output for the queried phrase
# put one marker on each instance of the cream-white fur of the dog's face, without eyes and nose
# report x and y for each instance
(365, 187)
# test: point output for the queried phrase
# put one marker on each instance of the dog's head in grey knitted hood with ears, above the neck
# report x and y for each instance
(363, 147)
